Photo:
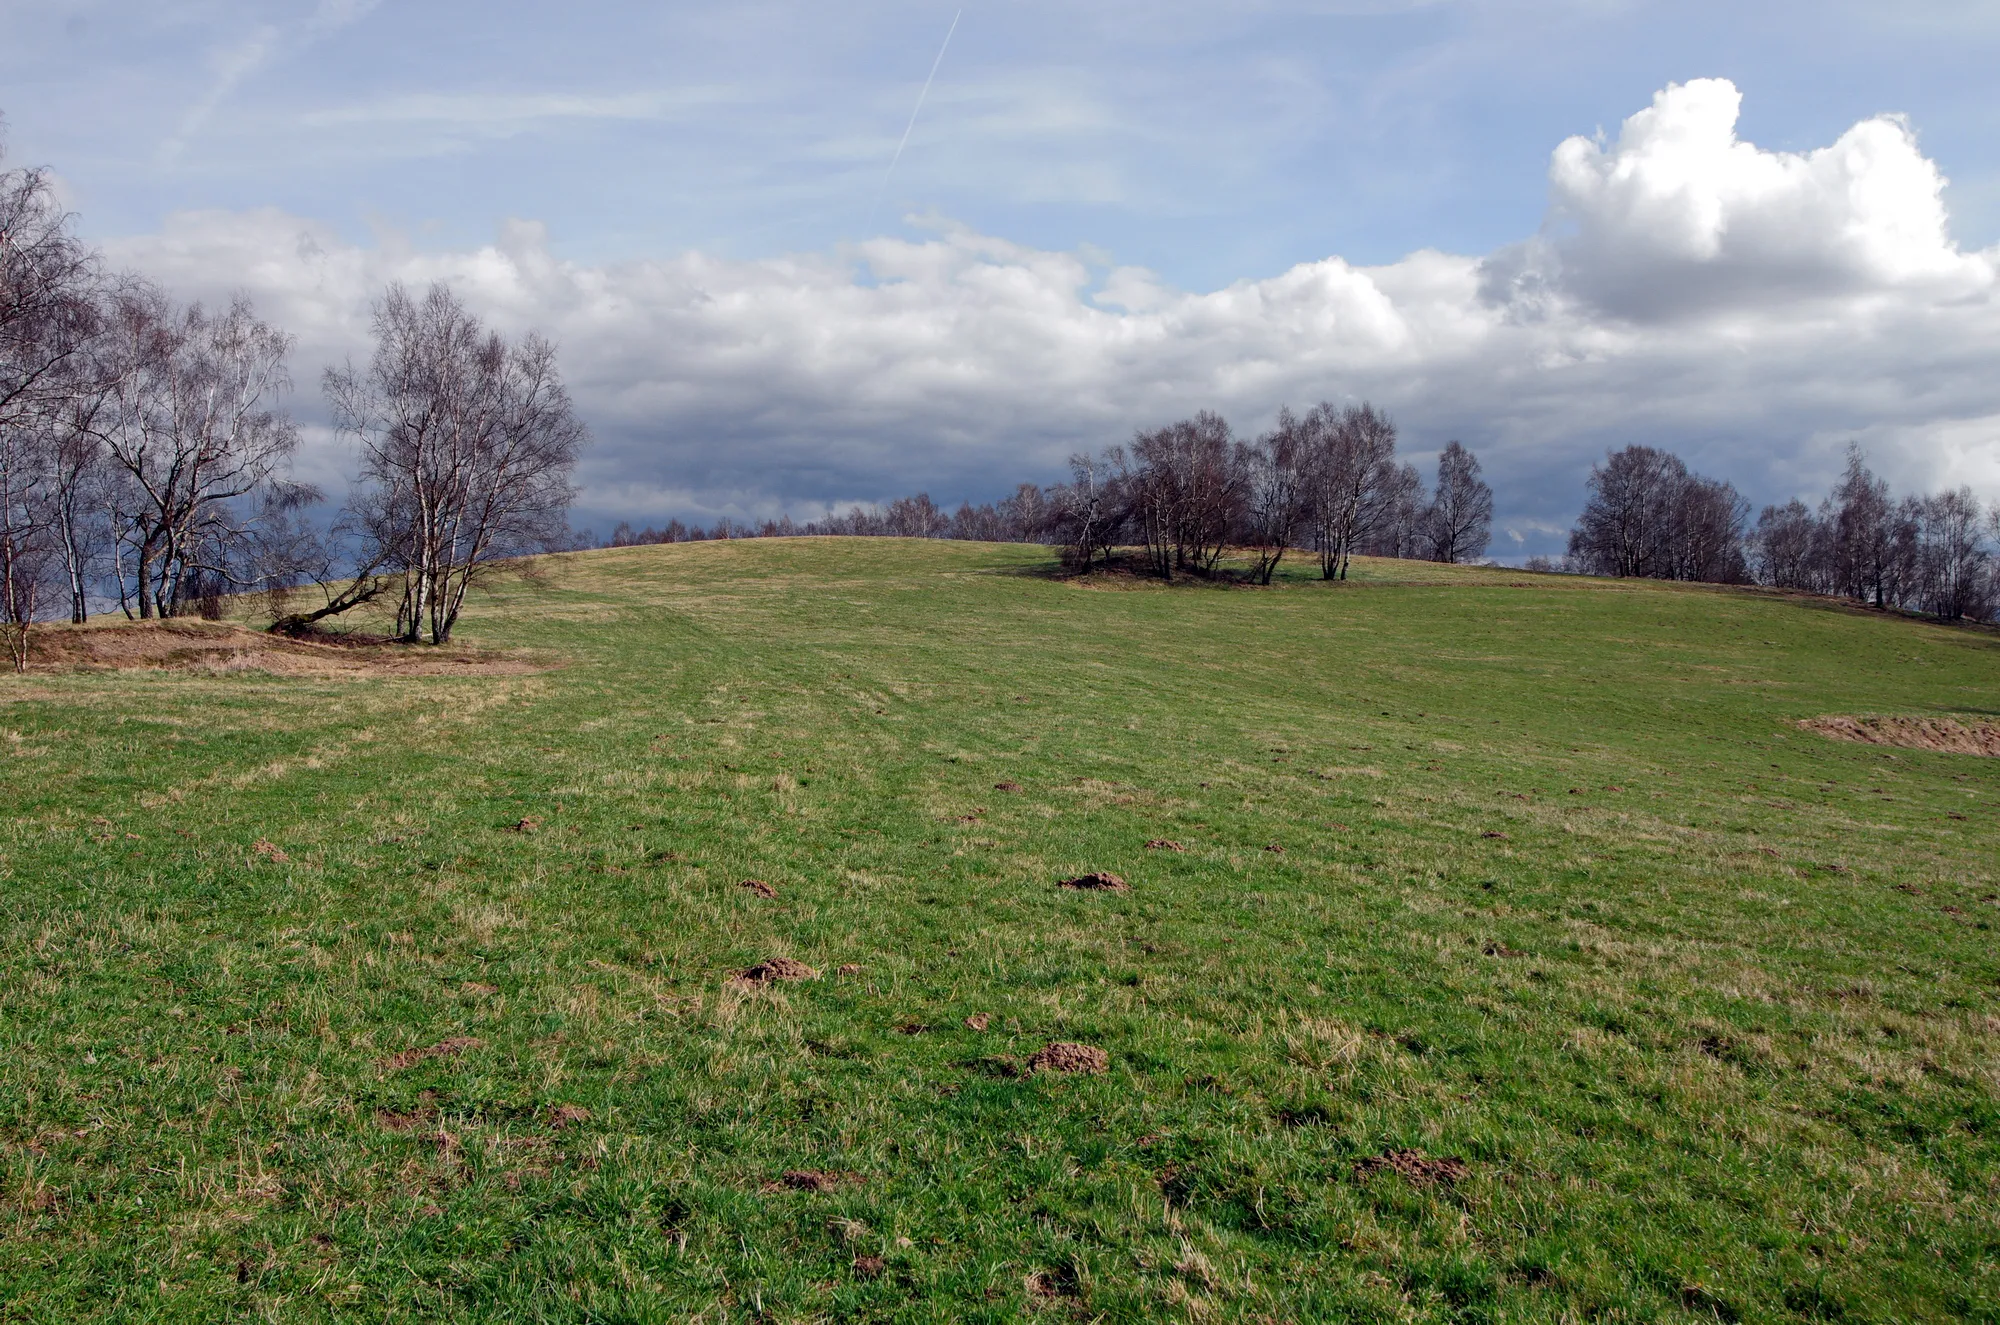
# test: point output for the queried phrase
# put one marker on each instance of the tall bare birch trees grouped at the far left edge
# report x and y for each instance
(145, 449)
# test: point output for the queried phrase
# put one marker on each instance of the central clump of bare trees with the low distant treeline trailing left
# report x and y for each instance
(1191, 491)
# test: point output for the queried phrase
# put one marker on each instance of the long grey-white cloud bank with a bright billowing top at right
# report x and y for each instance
(1749, 309)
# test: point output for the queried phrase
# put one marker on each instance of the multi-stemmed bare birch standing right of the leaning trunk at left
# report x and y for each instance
(467, 449)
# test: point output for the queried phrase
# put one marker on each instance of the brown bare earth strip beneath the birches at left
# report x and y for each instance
(223, 649)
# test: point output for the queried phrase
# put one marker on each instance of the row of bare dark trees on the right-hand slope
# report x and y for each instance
(1647, 515)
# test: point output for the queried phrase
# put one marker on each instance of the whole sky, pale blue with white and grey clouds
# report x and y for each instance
(1749, 233)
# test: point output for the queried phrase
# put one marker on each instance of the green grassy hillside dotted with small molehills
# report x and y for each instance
(1707, 1006)
